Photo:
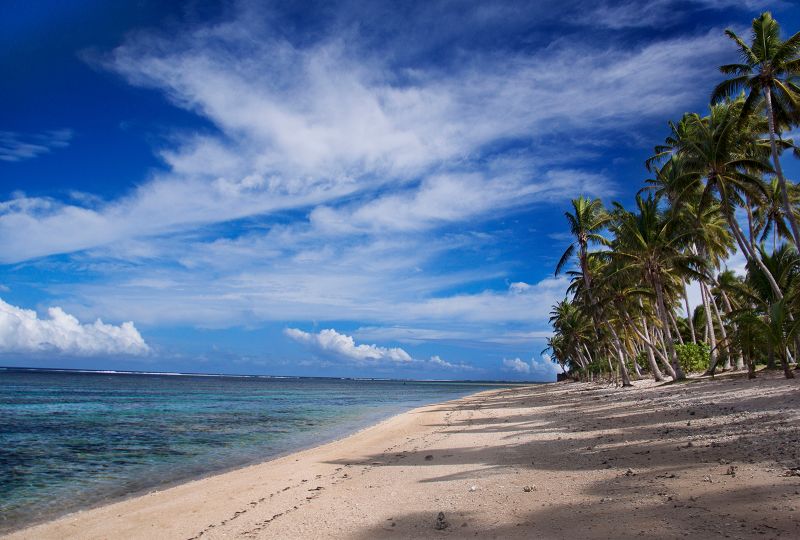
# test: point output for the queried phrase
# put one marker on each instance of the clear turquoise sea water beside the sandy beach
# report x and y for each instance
(72, 440)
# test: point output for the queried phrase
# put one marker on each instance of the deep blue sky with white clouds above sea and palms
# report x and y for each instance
(368, 189)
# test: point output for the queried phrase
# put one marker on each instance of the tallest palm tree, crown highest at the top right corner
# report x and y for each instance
(770, 66)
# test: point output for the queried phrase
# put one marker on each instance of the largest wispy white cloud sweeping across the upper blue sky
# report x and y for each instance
(302, 127)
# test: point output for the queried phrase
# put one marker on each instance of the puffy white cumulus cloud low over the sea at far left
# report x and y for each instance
(22, 331)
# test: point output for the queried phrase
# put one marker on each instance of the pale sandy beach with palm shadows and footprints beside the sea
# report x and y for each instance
(705, 459)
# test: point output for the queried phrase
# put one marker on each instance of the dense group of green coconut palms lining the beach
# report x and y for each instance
(716, 186)
